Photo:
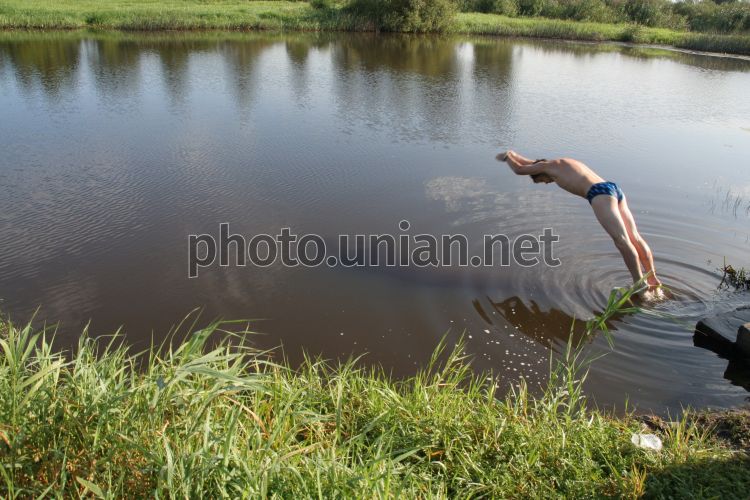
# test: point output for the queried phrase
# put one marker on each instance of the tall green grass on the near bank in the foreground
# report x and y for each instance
(207, 419)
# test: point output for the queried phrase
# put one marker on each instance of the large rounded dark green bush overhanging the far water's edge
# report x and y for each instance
(413, 16)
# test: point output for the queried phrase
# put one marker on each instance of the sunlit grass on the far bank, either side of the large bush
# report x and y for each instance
(279, 15)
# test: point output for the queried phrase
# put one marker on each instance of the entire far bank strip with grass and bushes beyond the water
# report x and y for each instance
(709, 26)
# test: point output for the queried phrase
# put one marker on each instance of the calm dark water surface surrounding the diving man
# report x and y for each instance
(114, 148)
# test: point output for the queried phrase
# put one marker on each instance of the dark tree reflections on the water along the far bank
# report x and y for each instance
(480, 65)
